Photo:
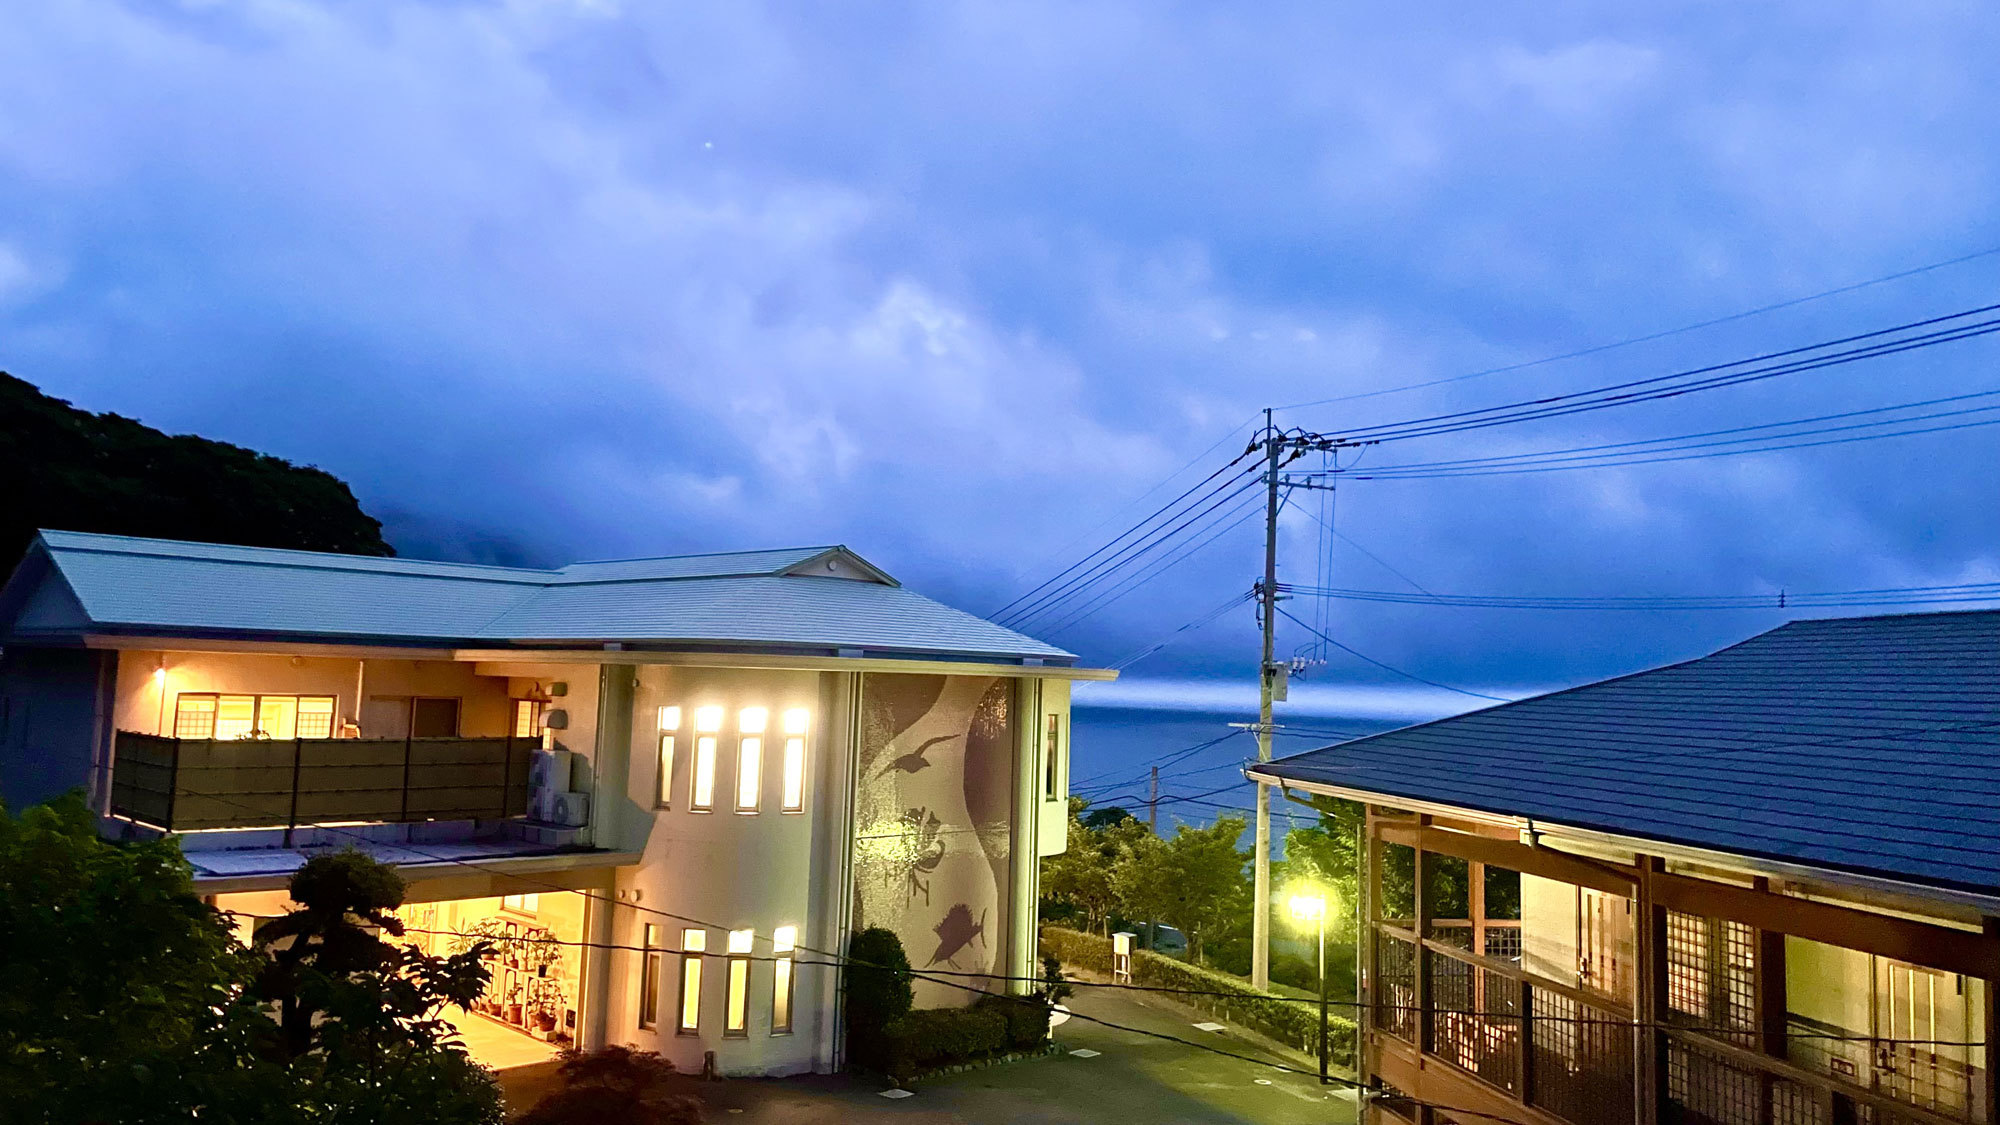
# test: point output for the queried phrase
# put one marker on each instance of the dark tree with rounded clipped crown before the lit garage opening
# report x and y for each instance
(361, 1022)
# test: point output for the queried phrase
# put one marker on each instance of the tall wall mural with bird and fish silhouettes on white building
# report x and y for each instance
(935, 820)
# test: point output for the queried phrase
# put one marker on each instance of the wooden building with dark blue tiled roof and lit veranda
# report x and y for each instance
(1753, 888)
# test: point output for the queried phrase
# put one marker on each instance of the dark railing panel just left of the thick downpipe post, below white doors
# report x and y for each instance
(1583, 1060)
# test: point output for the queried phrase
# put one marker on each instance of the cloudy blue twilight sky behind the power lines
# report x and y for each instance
(959, 283)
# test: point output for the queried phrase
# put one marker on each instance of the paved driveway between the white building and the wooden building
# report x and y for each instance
(1133, 1078)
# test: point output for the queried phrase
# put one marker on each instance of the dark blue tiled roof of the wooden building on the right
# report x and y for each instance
(1865, 746)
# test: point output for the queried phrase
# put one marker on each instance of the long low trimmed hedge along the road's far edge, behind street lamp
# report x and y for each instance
(1285, 1020)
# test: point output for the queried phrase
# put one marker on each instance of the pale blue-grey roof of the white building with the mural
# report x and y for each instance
(757, 600)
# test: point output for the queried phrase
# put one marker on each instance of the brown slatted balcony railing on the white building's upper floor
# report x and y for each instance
(267, 784)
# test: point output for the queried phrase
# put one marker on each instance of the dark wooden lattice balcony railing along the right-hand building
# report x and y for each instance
(1571, 1054)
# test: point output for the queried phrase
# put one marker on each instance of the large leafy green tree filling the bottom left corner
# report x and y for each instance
(125, 994)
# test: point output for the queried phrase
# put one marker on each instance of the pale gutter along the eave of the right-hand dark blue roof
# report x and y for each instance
(1531, 832)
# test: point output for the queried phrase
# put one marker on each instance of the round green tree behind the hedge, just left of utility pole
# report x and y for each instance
(1193, 882)
